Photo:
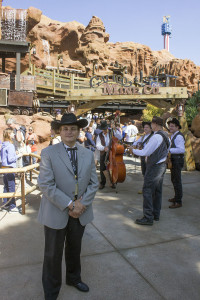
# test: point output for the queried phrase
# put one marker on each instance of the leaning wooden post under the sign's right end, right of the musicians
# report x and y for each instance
(189, 157)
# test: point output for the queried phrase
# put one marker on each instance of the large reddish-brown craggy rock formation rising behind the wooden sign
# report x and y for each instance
(88, 49)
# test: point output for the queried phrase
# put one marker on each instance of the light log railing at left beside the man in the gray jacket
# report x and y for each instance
(31, 169)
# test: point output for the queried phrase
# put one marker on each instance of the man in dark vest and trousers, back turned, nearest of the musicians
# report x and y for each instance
(156, 151)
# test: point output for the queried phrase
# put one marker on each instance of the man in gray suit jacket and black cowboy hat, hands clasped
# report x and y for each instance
(68, 182)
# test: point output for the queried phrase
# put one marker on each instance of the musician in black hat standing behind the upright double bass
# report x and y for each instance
(102, 144)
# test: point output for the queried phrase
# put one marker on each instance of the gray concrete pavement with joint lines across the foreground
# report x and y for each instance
(120, 260)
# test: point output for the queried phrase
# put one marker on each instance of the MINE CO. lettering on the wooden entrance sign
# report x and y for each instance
(115, 89)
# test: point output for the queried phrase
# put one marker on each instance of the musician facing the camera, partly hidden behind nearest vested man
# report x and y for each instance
(142, 141)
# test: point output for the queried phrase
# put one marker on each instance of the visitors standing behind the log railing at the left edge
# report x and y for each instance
(17, 141)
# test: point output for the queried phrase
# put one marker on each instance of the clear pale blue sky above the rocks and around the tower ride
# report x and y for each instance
(132, 20)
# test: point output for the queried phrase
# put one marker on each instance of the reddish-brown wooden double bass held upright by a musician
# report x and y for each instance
(115, 165)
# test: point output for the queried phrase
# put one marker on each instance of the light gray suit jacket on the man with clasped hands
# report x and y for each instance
(57, 183)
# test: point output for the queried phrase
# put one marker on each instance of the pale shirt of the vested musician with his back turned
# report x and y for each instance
(154, 142)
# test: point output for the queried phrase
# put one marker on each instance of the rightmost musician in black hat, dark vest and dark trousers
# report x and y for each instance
(177, 151)
